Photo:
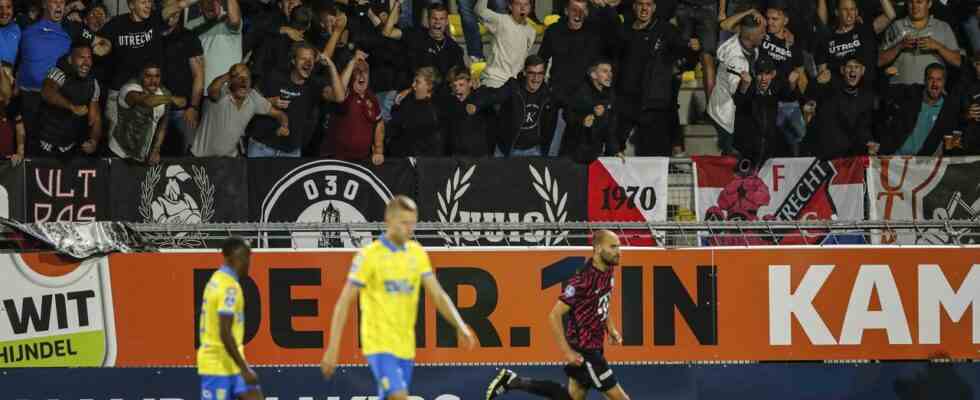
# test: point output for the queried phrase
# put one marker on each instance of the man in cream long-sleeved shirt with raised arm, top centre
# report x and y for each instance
(513, 37)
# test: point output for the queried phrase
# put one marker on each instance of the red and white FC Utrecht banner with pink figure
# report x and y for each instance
(783, 189)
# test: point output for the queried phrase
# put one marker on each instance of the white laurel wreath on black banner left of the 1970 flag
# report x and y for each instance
(545, 185)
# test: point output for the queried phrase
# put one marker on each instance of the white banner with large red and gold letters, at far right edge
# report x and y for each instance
(924, 188)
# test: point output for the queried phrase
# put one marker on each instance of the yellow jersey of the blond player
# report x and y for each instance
(389, 278)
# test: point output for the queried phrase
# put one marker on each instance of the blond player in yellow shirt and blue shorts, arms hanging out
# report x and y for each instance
(387, 276)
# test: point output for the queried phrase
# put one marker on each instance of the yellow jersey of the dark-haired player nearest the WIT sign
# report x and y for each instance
(222, 296)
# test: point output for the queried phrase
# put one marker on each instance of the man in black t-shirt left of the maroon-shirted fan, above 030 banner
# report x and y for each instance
(297, 93)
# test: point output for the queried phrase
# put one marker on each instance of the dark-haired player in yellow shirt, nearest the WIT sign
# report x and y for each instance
(225, 375)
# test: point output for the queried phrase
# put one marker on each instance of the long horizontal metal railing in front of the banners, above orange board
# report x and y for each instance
(662, 234)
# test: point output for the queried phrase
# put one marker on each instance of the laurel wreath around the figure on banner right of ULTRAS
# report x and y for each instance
(148, 192)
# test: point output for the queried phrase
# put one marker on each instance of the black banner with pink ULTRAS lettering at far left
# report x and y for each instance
(73, 191)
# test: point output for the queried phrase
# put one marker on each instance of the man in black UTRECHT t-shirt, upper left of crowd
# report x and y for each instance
(130, 41)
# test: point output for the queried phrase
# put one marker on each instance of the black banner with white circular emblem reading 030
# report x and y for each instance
(297, 190)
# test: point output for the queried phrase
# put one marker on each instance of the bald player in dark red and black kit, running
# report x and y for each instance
(585, 303)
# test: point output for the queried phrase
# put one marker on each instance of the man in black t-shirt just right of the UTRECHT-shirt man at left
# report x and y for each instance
(183, 74)
